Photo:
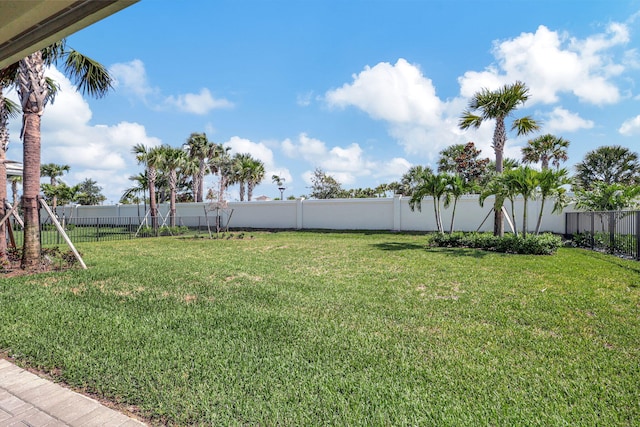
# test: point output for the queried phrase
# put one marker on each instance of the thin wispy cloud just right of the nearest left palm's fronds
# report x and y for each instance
(132, 78)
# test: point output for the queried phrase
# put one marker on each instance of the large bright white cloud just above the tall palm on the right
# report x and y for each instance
(552, 63)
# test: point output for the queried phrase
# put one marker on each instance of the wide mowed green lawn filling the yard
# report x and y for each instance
(302, 328)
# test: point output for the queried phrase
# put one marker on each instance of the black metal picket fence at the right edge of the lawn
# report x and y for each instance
(616, 232)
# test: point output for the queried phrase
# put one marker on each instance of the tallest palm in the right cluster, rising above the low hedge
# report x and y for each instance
(498, 105)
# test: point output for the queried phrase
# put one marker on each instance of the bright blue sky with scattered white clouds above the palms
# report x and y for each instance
(362, 88)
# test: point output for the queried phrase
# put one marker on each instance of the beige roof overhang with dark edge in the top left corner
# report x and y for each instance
(29, 25)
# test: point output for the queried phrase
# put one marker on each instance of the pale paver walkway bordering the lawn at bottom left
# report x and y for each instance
(28, 400)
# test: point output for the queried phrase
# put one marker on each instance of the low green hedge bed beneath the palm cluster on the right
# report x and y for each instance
(542, 244)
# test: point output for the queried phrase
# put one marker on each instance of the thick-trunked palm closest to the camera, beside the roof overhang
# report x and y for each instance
(89, 77)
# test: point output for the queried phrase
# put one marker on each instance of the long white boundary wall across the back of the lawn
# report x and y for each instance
(391, 214)
